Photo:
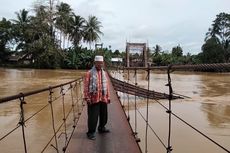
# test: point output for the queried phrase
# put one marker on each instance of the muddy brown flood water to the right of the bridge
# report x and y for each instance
(207, 109)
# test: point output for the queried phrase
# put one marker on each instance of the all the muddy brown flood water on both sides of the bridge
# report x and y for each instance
(208, 110)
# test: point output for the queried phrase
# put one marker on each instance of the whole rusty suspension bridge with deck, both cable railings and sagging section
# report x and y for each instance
(122, 138)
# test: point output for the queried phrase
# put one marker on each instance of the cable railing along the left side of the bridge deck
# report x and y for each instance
(57, 116)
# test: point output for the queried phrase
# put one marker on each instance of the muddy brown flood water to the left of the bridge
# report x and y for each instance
(39, 129)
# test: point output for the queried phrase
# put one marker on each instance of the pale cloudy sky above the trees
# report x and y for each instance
(167, 23)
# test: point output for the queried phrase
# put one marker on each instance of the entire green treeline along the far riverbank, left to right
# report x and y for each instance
(53, 36)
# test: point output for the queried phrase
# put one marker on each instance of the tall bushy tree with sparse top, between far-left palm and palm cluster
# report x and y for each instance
(44, 47)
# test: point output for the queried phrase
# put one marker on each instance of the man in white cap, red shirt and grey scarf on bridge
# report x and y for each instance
(97, 96)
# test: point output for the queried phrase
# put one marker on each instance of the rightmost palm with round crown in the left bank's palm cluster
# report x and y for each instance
(92, 30)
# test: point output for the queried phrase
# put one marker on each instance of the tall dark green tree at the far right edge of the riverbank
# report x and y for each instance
(217, 41)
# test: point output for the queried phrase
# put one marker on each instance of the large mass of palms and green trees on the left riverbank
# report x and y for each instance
(41, 35)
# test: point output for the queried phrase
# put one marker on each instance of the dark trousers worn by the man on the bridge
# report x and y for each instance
(95, 111)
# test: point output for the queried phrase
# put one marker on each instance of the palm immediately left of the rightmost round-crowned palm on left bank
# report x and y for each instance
(76, 29)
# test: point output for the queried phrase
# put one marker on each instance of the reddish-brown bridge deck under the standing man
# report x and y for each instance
(120, 139)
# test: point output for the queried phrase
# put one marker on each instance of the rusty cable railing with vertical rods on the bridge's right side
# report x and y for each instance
(126, 102)
